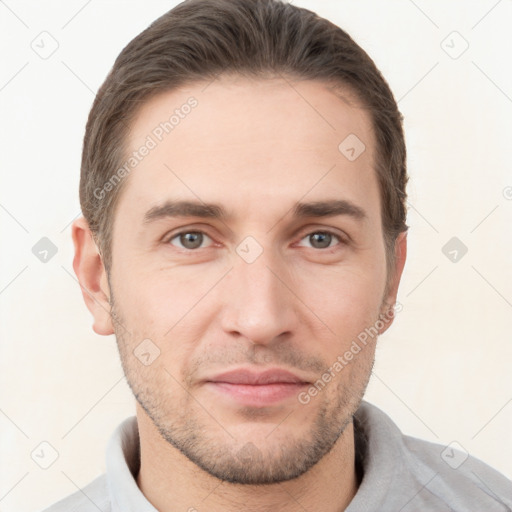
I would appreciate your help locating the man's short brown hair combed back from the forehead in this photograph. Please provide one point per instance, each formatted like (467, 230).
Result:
(201, 39)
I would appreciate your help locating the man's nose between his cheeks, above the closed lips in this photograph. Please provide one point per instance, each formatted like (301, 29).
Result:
(259, 303)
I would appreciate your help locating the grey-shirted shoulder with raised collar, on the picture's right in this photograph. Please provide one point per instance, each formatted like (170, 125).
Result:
(414, 474)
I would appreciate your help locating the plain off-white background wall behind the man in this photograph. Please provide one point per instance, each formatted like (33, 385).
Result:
(443, 369)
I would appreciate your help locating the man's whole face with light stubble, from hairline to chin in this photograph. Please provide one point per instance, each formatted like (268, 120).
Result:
(245, 239)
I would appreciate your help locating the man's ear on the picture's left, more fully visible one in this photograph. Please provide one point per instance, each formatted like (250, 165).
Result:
(92, 276)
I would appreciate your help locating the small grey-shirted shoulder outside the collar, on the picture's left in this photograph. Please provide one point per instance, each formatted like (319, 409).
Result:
(93, 497)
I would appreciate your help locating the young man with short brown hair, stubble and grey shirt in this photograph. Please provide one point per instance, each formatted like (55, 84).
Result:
(243, 190)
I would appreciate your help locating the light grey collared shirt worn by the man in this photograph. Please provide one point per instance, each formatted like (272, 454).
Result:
(399, 474)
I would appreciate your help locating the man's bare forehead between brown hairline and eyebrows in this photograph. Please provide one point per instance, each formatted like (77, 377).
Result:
(249, 145)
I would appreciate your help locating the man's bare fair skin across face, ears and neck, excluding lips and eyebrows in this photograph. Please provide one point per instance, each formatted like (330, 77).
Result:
(256, 148)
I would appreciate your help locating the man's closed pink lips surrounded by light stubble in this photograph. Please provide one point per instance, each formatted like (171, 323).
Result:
(254, 389)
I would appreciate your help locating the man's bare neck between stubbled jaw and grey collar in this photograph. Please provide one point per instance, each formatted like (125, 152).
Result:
(171, 482)
